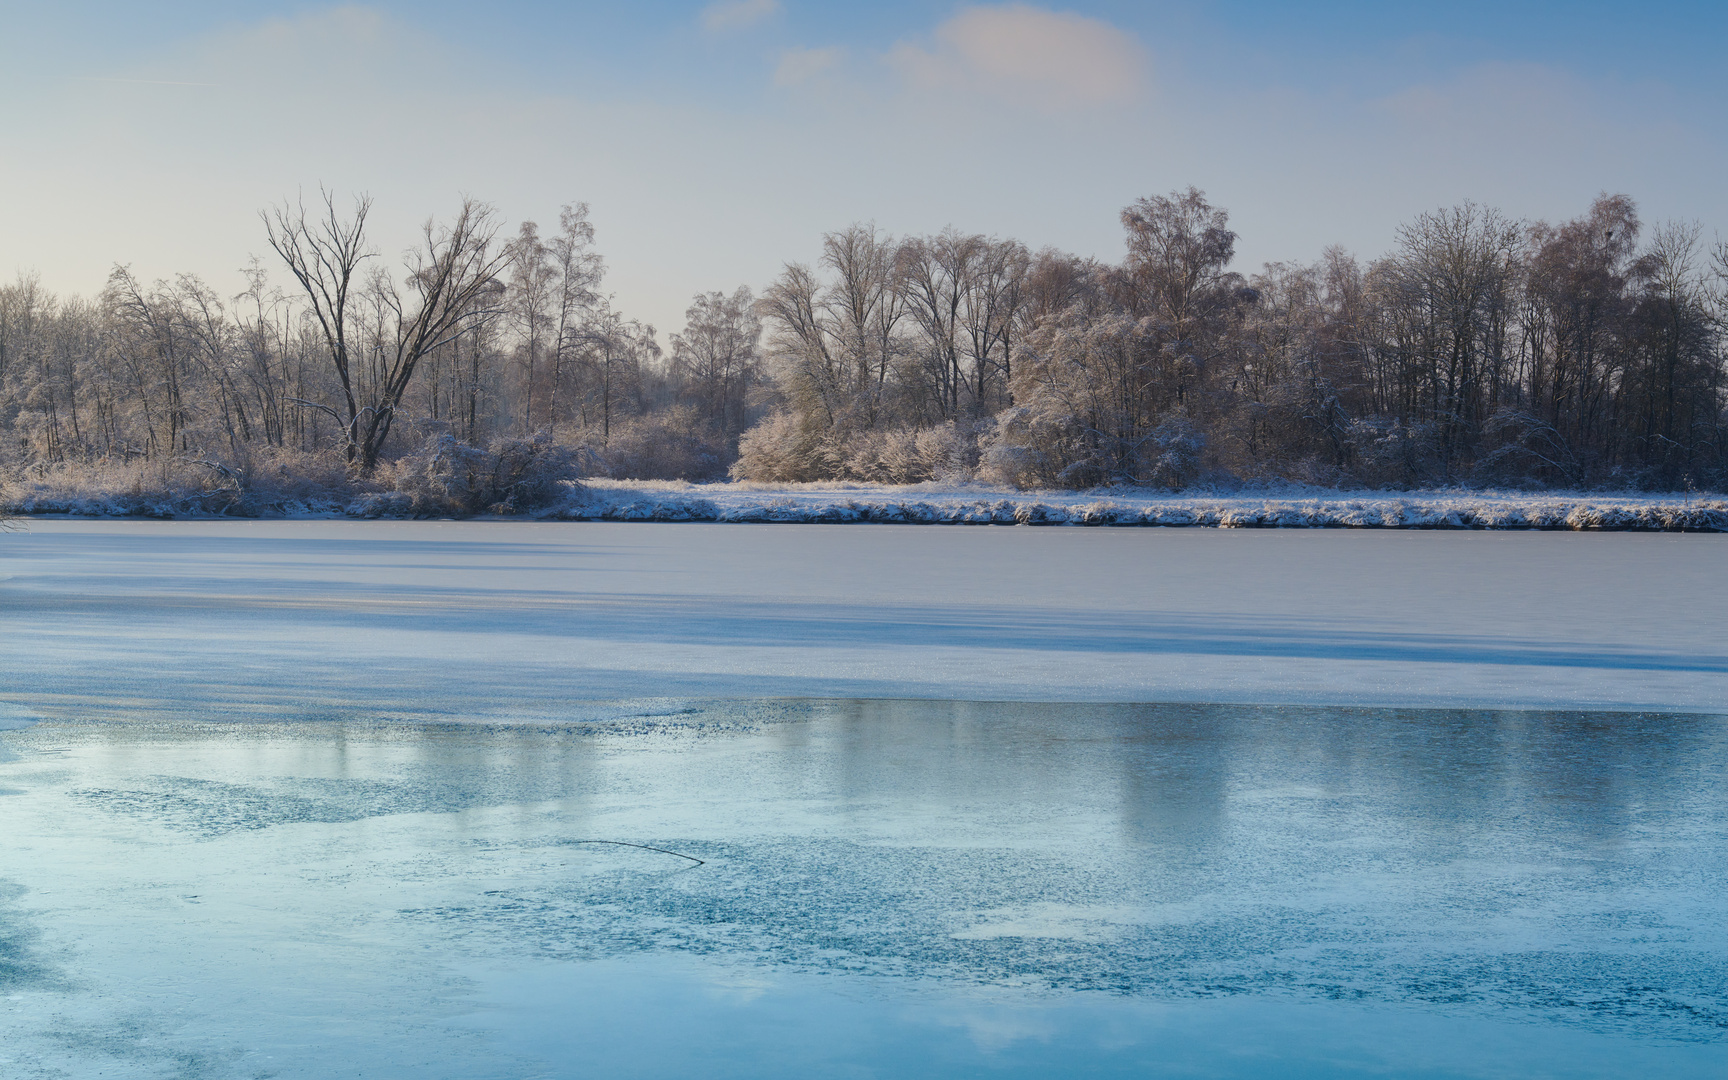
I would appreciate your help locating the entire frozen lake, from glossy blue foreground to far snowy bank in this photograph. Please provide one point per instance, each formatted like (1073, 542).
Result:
(326, 799)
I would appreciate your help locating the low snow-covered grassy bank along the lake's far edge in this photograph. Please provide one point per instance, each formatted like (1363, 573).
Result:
(1283, 507)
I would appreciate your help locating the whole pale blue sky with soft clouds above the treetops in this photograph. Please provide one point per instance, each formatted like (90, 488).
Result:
(718, 141)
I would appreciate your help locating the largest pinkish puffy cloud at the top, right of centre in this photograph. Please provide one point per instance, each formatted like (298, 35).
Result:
(1029, 54)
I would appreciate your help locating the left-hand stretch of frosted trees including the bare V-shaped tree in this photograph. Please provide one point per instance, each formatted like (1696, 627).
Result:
(476, 338)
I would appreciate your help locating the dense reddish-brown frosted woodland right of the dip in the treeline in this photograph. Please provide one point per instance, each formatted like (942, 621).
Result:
(1478, 352)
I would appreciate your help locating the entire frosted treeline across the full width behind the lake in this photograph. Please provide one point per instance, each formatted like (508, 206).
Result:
(1478, 352)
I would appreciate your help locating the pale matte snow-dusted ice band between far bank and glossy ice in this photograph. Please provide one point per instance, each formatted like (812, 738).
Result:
(540, 621)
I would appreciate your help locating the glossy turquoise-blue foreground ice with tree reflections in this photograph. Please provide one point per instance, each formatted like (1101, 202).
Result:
(886, 889)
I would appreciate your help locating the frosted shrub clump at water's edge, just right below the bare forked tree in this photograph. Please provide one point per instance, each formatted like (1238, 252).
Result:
(447, 478)
